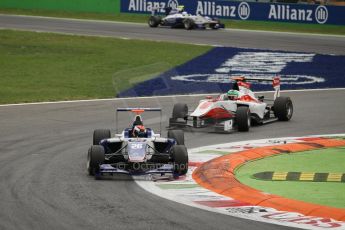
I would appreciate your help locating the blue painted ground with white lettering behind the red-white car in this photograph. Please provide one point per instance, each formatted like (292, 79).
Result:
(212, 72)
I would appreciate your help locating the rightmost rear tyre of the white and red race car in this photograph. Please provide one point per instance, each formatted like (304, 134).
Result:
(283, 108)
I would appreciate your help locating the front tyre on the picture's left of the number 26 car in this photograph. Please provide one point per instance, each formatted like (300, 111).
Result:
(95, 157)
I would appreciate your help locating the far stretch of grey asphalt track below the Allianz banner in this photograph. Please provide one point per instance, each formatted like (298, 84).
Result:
(235, 38)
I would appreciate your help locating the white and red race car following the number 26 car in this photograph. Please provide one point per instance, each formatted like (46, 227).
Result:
(226, 115)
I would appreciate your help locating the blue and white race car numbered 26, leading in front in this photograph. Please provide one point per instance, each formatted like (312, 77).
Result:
(137, 150)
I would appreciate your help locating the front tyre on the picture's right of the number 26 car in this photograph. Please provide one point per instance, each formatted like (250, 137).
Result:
(180, 159)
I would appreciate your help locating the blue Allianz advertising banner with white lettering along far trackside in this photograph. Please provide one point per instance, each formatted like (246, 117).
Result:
(300, 13)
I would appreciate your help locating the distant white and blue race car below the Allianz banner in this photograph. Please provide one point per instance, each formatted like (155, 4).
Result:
(178, 18)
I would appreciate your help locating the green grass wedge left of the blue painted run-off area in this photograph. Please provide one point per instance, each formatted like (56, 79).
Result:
(51, 67)
